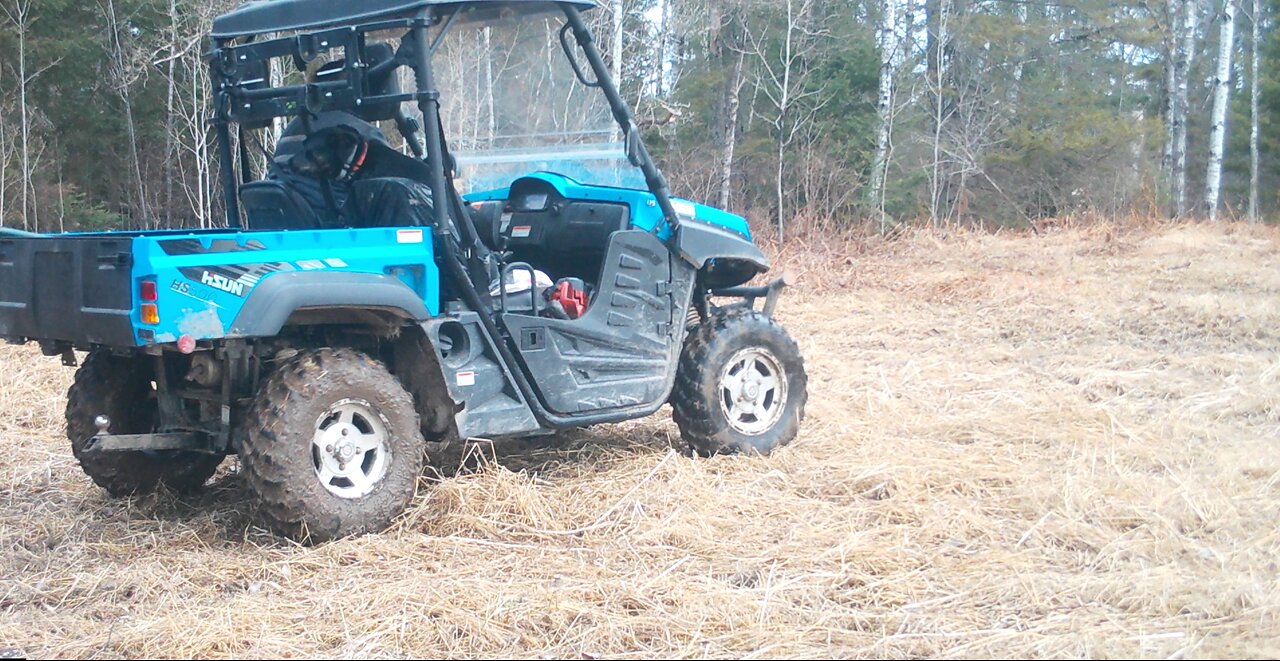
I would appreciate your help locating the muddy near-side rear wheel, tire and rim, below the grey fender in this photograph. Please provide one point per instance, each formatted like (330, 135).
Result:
(333, 446)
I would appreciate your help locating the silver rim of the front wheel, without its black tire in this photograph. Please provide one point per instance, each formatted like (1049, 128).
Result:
(753, 391)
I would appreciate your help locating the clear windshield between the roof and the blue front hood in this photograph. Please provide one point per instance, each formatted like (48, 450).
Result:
(513, 106)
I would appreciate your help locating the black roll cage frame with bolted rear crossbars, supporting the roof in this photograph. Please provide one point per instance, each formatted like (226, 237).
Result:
(245, 97)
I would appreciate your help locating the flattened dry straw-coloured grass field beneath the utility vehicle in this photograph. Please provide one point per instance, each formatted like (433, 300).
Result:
(1060, 446)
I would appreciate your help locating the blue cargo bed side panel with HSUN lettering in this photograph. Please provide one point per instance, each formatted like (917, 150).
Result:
(205, 279)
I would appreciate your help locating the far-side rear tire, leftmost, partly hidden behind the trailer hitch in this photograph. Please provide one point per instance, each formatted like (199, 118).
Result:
(121, 390)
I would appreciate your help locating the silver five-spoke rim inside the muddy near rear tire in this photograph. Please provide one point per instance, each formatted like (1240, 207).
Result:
(350, 449)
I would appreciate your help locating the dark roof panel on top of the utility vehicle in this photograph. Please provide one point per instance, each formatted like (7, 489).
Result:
(260, 17)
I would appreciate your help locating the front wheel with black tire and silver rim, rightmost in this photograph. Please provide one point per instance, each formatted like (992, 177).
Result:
(742, 386)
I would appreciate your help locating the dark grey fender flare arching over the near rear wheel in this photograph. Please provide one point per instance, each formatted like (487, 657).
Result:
(275, 300)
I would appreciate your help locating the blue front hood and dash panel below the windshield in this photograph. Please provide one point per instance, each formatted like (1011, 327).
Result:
(646, 213)
